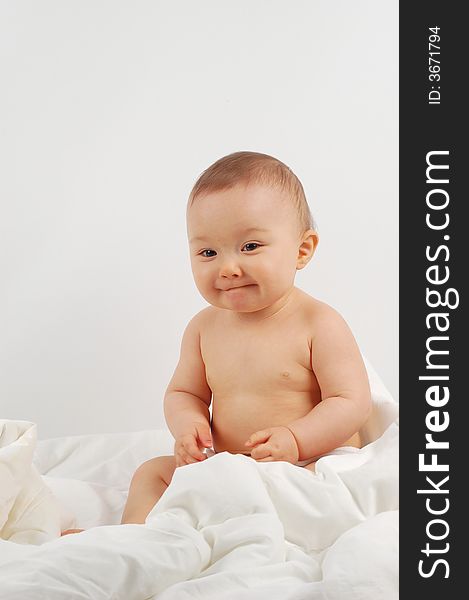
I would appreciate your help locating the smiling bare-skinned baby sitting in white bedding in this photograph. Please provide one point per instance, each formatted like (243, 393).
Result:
(281, 370)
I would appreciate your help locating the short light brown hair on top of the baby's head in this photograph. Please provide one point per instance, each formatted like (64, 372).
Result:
(254, 168)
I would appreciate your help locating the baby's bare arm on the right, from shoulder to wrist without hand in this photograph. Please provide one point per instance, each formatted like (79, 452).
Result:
(345, 393)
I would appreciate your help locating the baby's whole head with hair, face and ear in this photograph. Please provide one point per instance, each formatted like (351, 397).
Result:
(250, 229)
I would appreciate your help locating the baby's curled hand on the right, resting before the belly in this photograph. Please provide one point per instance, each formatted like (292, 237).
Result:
(275, 443)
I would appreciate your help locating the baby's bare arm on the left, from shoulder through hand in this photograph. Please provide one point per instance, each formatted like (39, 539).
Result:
(187, 399)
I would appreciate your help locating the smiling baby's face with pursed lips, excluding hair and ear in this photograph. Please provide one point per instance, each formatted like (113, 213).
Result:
(244, 247)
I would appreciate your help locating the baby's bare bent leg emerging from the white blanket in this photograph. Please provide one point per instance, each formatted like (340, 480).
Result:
(149, 482)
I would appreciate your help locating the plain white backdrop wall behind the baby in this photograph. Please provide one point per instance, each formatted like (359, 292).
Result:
(109, 112)
